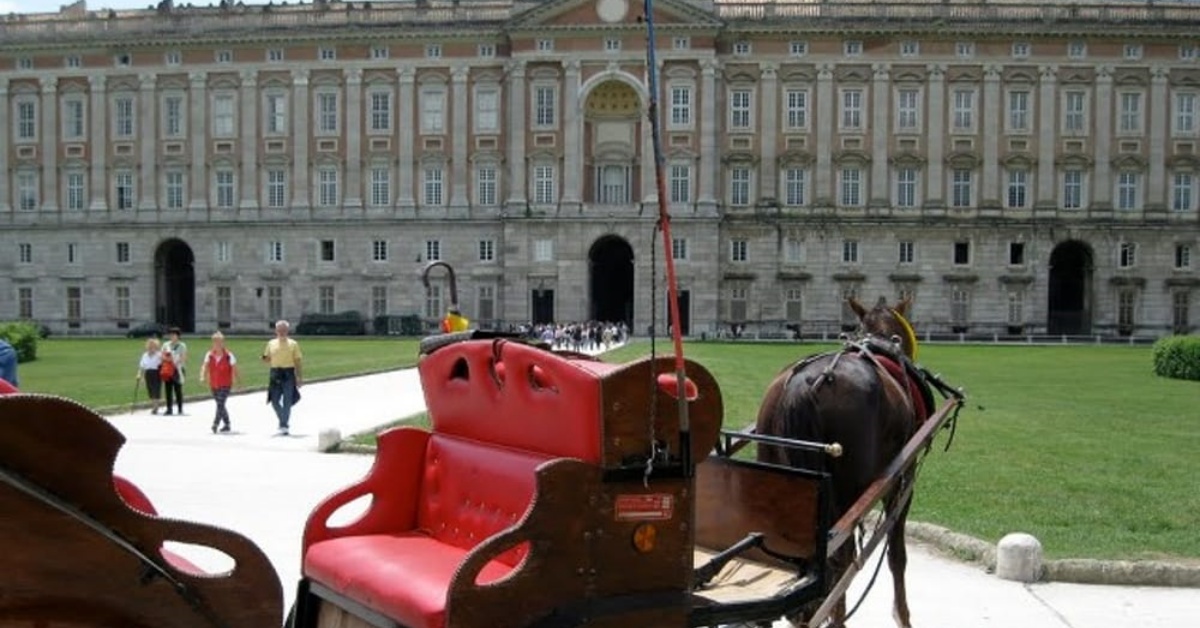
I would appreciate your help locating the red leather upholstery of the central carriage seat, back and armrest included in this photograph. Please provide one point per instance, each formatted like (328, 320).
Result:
(446, 504)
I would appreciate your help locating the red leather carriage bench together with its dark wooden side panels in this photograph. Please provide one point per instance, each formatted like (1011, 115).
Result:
(501, 504)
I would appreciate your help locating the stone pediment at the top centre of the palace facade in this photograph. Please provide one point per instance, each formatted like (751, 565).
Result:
(574, 15)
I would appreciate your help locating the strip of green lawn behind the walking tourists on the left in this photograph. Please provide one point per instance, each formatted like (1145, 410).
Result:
(99, 373)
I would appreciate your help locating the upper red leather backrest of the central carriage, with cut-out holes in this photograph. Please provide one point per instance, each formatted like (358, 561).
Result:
(551, 405)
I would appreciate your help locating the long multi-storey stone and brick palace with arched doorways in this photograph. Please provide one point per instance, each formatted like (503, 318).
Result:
(1013, 168)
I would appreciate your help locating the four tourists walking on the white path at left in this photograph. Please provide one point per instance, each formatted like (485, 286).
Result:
(164, 367)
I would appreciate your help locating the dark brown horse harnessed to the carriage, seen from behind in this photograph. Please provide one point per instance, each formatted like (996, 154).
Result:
(850, 399)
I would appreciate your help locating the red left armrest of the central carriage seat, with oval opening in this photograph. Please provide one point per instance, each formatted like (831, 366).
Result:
(393, 485)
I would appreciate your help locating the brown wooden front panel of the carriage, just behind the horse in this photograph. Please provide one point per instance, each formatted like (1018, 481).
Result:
(736, 499)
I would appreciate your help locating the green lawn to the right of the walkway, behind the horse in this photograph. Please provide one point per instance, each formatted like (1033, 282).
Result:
(1082, 447)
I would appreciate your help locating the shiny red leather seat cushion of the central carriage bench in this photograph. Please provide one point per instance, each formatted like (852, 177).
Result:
(404, 577)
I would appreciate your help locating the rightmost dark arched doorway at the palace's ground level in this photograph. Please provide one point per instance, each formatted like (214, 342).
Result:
(1070, 303)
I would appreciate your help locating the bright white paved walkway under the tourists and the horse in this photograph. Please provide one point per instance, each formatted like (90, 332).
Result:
(265, 487)
